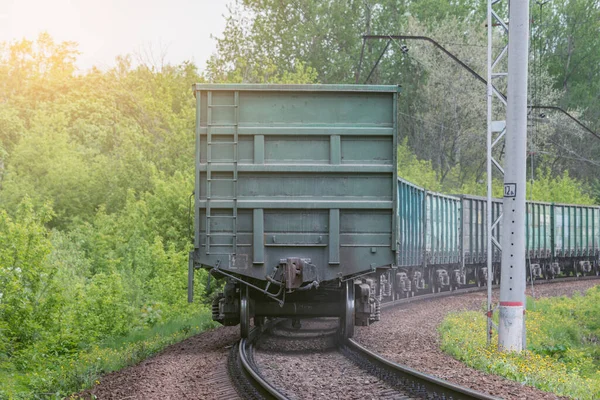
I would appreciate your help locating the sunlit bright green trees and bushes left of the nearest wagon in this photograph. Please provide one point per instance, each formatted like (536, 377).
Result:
(96, 173)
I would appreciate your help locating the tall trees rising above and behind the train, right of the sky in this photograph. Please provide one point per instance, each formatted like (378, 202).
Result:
(442, 111)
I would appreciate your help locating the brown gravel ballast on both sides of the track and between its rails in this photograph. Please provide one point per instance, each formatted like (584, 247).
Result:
(194, 368)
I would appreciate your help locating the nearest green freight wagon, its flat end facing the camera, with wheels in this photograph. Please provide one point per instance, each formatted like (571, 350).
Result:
(295, 196)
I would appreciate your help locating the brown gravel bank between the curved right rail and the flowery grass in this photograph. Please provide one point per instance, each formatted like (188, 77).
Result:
(412, 338)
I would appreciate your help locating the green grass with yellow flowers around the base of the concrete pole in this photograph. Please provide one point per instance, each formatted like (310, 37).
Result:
(562, 355)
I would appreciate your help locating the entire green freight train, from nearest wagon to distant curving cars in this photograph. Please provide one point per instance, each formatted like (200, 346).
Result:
(299, 208)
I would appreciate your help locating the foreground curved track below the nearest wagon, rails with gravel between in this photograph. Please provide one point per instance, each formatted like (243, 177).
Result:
(386, 379)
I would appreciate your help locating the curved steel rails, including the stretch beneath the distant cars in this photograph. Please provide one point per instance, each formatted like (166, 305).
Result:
(399, 381)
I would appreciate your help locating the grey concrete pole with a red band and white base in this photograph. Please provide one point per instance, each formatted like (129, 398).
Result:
(512, 287)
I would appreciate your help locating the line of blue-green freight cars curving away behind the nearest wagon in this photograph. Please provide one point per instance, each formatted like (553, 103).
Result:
(443, 240)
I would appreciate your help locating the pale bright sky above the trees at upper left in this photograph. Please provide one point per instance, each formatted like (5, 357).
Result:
(179, 29)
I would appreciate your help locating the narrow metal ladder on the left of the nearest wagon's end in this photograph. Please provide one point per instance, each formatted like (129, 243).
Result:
(209, 179)
